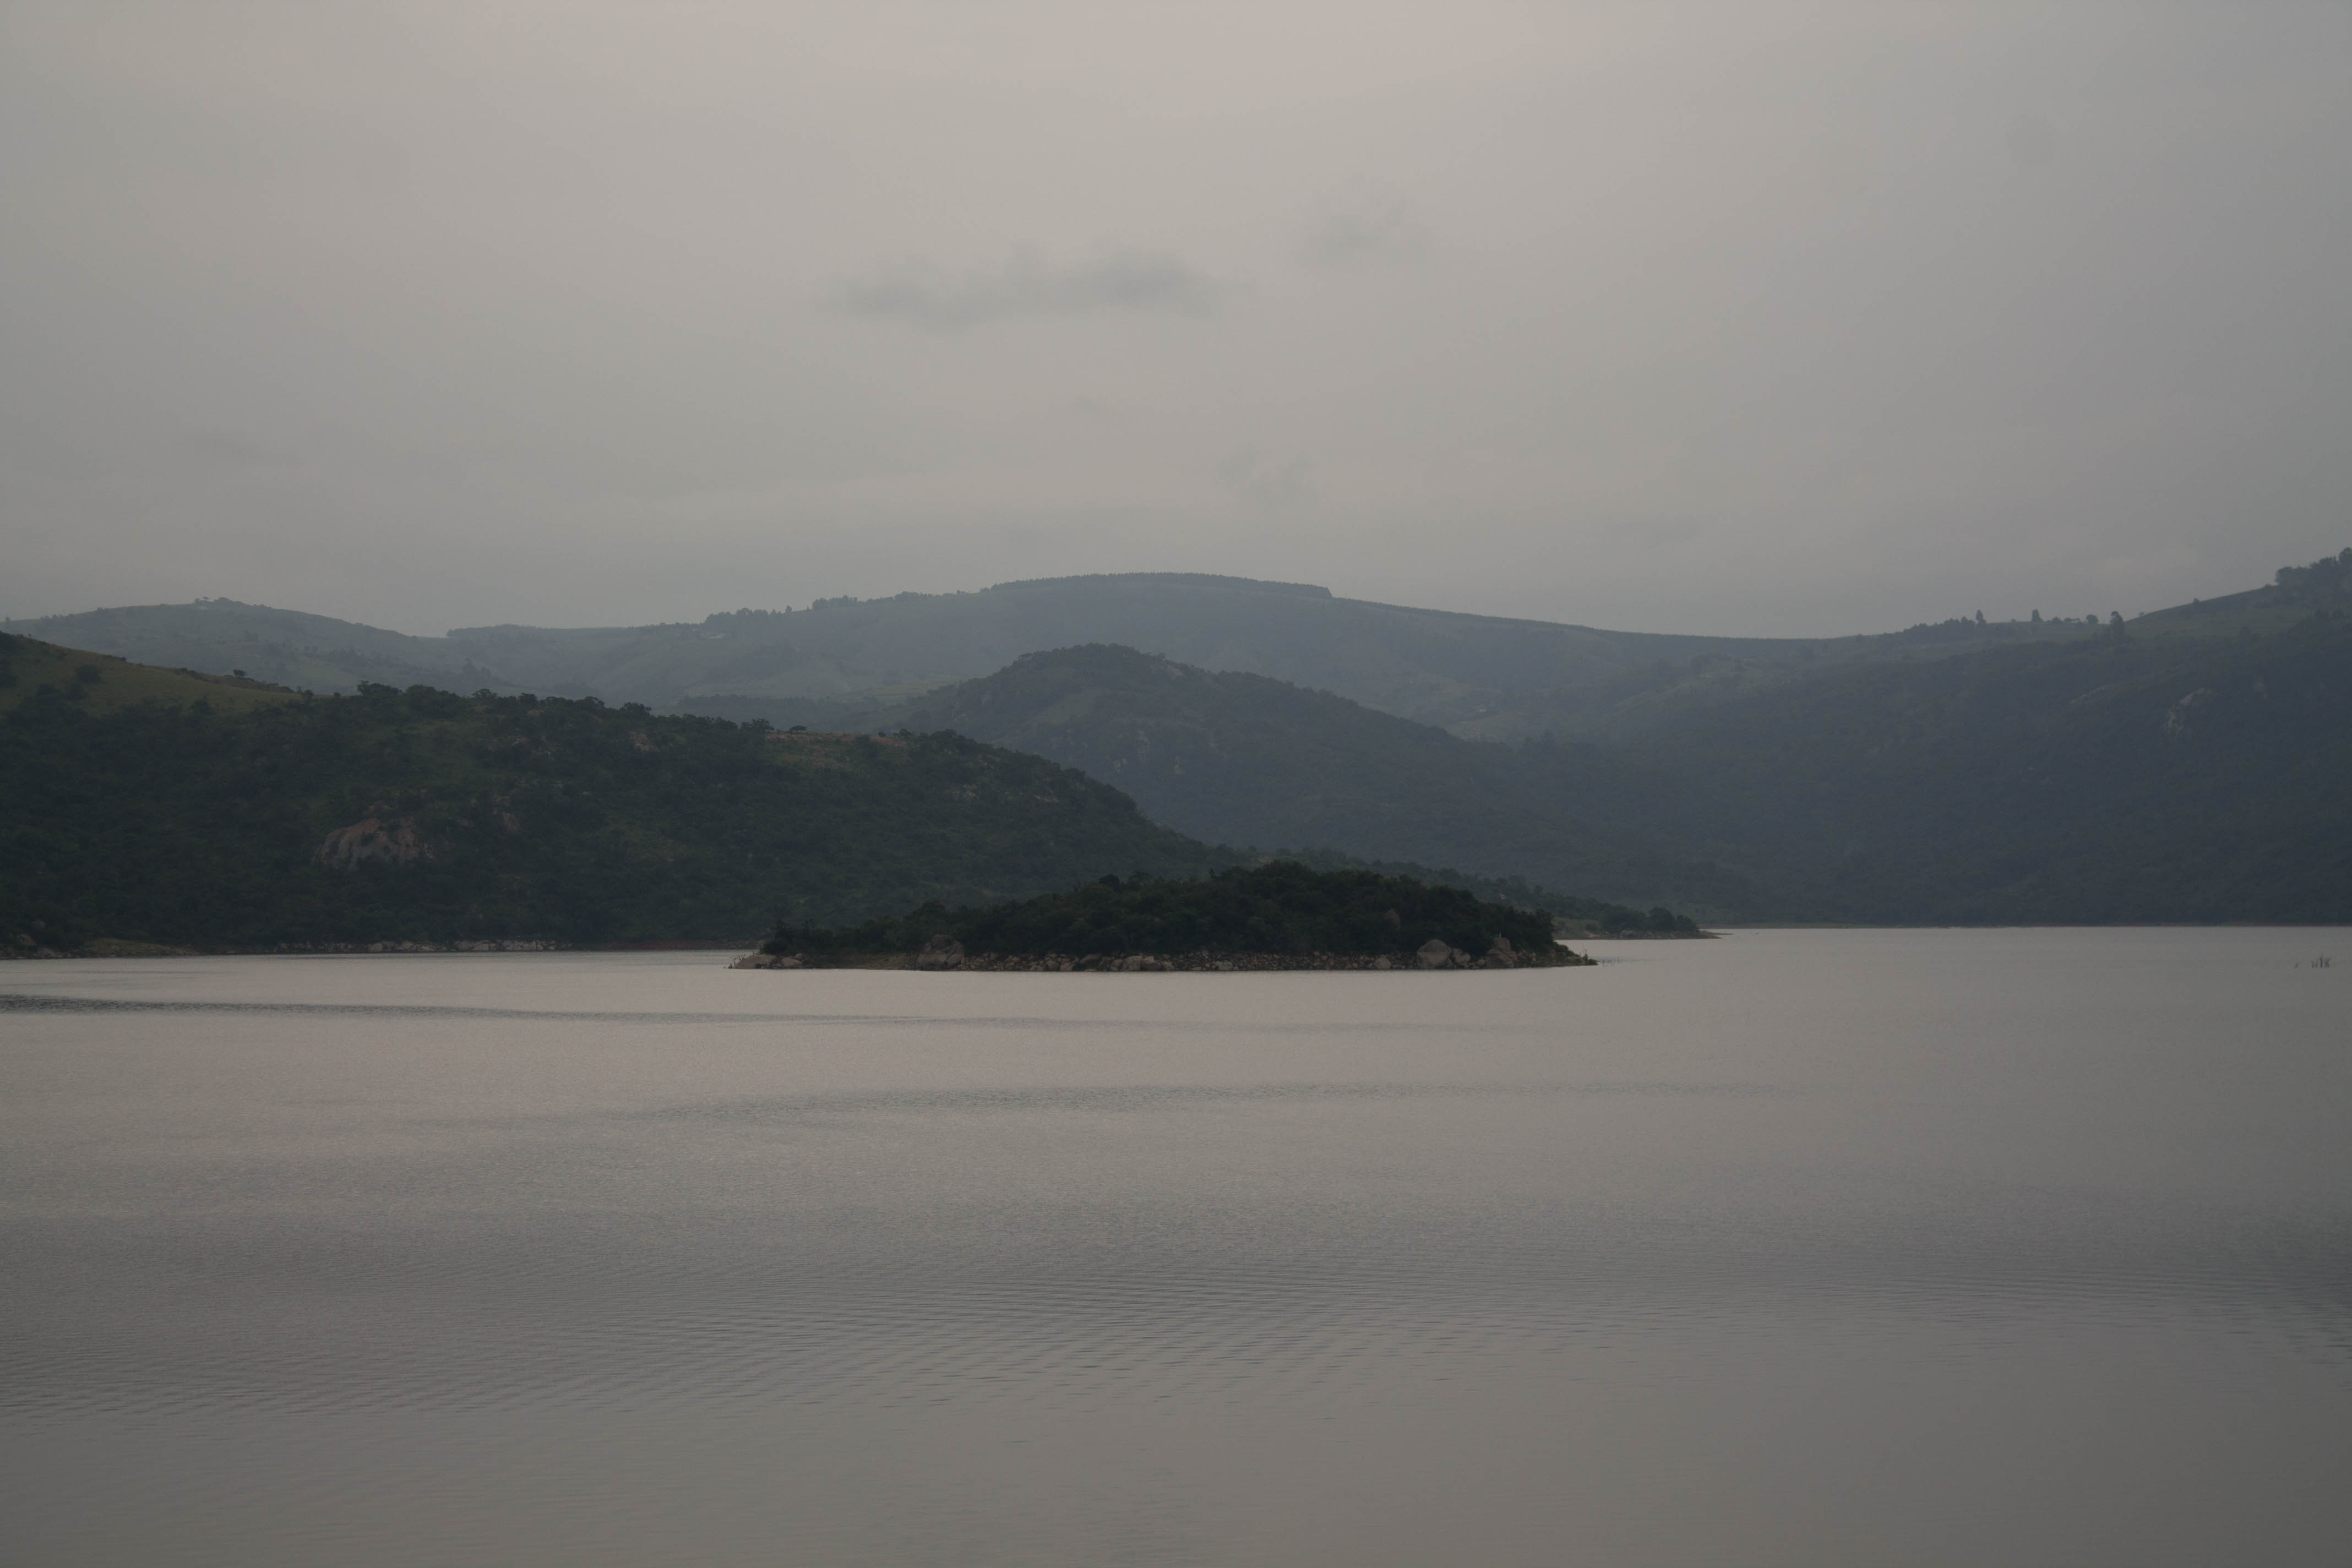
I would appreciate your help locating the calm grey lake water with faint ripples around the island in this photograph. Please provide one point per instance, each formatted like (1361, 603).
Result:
(1899, 1247)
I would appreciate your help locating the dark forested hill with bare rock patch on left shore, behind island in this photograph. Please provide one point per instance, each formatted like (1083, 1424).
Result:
(161, 808)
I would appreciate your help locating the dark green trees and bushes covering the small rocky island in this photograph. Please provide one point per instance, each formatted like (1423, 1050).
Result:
(1278, 909)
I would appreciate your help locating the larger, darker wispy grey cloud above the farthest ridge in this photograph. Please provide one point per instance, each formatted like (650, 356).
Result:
(1118, 283)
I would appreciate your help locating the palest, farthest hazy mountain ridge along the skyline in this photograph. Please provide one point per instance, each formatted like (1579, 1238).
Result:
(836, 659)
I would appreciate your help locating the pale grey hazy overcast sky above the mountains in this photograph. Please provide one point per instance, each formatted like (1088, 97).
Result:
(1669, 319)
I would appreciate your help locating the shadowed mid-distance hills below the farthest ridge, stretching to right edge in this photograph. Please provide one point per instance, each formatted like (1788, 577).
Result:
(2137, 775)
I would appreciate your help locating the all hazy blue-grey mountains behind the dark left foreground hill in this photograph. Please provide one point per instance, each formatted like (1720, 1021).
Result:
(2181, 768)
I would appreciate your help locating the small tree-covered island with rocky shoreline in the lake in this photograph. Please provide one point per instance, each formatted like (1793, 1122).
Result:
(1274, 916)
